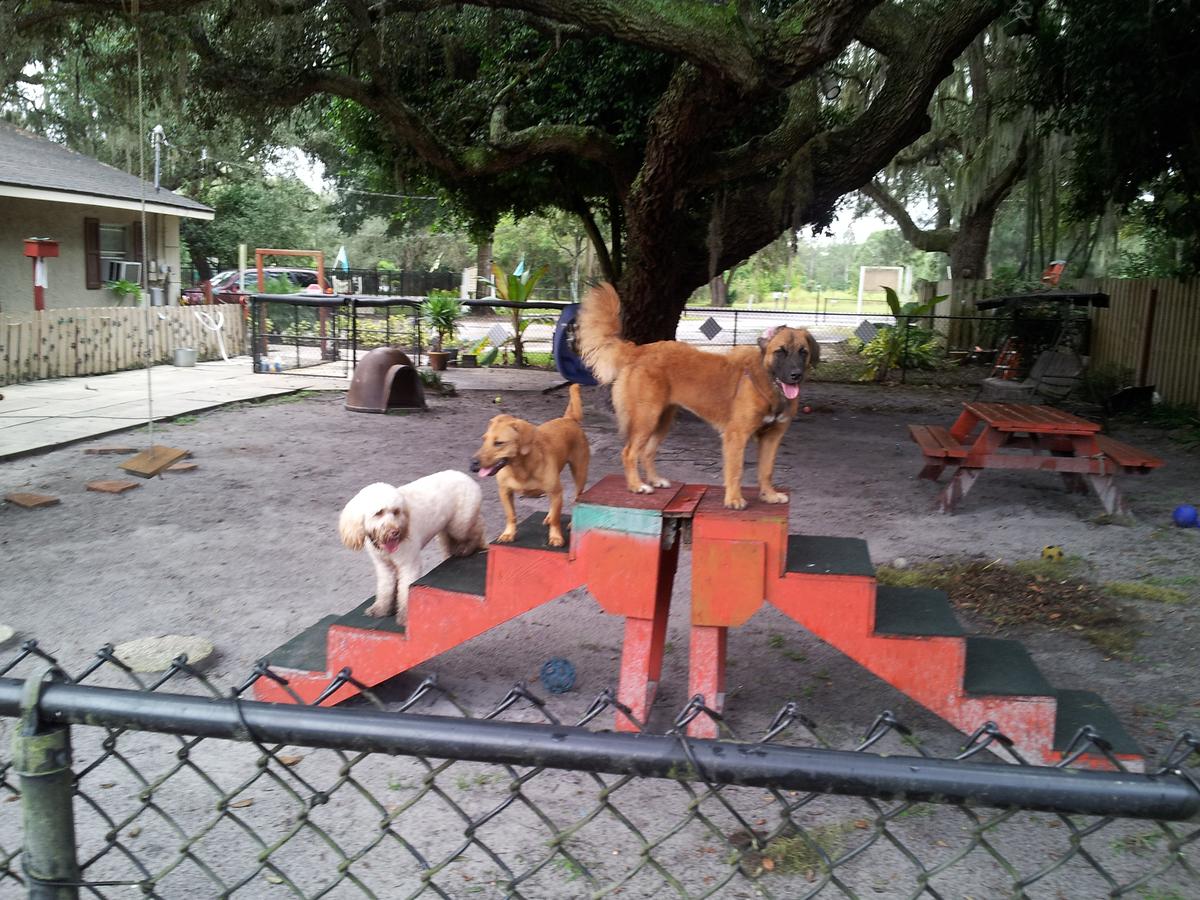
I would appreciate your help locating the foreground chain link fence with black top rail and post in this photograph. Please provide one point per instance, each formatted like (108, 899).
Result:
(181, 789)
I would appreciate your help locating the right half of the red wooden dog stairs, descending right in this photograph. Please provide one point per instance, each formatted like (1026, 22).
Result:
(907, 637)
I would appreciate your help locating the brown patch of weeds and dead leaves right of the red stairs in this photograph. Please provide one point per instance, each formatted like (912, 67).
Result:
(1048, 595)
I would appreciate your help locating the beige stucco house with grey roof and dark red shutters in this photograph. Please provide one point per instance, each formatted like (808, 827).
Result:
(94, 212)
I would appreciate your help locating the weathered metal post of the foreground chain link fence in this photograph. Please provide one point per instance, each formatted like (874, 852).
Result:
(41, 758)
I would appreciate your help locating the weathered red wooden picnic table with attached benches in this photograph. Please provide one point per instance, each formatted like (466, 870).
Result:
(1023, 436)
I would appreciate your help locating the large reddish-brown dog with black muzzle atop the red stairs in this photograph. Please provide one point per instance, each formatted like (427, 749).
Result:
(748, 392)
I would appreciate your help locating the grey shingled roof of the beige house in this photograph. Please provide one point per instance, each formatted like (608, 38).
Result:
(34, 163)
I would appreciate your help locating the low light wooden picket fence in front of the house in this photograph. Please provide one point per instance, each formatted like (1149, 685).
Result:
(59, 344)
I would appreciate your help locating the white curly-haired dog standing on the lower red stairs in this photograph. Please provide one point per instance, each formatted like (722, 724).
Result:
(397, 523)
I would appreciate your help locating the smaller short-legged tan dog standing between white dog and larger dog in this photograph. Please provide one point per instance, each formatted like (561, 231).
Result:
(529, 460)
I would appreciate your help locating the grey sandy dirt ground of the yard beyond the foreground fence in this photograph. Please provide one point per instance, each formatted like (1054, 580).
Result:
(244, 551)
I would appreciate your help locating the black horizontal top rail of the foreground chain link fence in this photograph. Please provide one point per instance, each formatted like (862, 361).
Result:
(1168, 796)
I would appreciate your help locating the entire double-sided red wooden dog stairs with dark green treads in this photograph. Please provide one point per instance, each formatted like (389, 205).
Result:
(625, 549)
